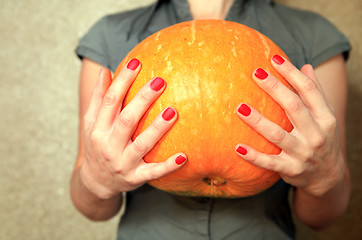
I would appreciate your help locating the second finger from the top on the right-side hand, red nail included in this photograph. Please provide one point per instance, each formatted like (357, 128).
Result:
(297, 112)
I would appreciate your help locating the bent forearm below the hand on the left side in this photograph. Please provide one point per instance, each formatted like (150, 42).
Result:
(89, 204)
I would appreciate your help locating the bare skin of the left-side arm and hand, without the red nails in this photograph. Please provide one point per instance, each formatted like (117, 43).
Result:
(108, 162)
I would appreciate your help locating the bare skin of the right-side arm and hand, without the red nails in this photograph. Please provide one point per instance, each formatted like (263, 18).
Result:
(313, 157)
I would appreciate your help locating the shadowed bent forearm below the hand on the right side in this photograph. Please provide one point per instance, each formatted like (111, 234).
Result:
(320, 211)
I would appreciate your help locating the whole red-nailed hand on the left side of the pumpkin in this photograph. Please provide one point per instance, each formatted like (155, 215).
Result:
(112, 162)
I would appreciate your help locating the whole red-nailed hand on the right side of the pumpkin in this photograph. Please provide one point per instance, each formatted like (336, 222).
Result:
(311, 158)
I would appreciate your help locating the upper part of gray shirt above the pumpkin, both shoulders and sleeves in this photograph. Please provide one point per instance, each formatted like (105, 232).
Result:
(304, 36)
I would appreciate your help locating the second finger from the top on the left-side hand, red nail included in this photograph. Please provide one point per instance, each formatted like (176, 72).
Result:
(130, 116)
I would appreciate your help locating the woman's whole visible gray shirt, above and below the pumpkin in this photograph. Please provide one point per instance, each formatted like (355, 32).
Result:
(152, 214)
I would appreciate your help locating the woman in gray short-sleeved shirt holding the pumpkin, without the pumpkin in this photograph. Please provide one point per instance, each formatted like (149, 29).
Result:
(312, 162)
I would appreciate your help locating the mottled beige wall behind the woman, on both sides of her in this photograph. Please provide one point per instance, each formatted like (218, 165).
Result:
(38, 115)
